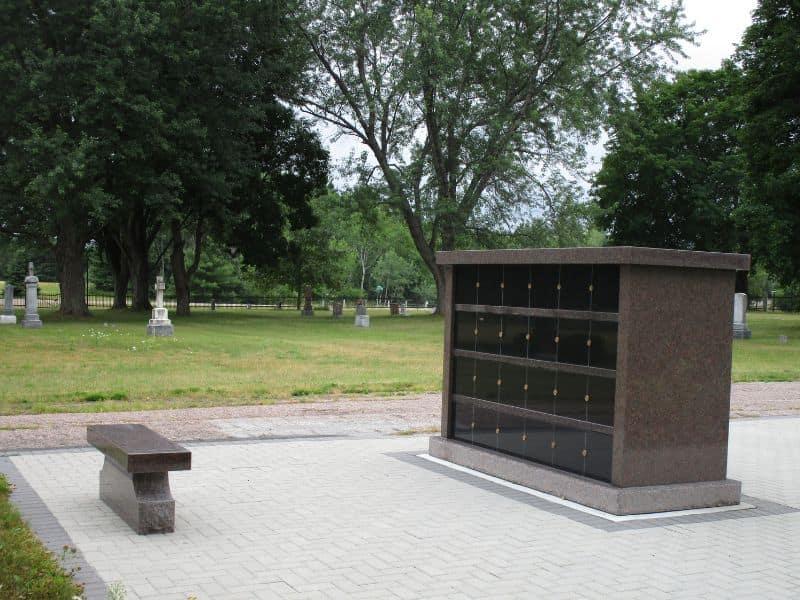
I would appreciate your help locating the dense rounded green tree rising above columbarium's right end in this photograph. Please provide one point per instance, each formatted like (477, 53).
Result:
(673, 168)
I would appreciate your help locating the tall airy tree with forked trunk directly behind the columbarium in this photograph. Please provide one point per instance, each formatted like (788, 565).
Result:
(462, 104)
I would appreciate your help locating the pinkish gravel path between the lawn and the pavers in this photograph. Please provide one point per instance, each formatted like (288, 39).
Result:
(365, 416)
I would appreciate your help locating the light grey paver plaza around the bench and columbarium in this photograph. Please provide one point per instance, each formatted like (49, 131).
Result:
(367, 518)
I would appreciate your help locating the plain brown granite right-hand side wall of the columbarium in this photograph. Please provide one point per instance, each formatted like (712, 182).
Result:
(673, 375)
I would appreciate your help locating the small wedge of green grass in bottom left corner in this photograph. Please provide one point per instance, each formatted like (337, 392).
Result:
(27, 569)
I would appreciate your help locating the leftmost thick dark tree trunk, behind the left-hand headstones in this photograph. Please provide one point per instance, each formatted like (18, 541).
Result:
(69, 251)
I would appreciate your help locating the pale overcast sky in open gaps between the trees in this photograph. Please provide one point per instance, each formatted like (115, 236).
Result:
(723, 22)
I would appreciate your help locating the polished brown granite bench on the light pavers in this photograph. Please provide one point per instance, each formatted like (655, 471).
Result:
(134, 480)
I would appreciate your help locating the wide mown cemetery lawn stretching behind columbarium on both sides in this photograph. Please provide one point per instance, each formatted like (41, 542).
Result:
(250, 357)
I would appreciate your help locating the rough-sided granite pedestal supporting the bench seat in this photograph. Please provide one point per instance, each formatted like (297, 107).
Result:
(143, 500)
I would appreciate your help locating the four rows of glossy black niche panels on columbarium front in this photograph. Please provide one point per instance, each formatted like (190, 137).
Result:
(557, 339)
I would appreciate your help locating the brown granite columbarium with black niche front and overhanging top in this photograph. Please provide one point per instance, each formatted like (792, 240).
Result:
(598, 375)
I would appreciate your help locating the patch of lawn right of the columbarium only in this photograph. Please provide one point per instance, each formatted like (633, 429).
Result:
(763, 358)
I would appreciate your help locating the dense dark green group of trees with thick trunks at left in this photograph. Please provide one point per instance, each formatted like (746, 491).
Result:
(126, 122)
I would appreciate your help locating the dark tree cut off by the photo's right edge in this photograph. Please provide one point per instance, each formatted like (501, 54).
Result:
(770, 57)
